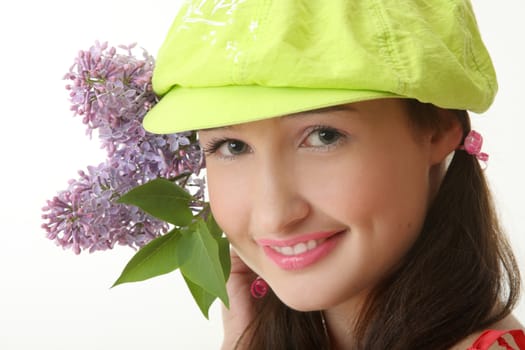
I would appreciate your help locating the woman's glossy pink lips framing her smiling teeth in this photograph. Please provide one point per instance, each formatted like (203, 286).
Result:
(303, 260)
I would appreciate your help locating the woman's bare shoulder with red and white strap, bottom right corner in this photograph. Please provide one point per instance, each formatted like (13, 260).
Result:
(509, 329)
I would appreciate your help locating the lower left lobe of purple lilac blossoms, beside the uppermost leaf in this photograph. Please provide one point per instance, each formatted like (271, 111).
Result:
(85, 216)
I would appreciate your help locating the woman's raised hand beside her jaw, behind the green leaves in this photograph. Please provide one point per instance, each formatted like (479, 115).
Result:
(241, 311)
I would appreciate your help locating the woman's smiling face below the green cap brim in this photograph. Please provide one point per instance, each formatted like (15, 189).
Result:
(321, 204)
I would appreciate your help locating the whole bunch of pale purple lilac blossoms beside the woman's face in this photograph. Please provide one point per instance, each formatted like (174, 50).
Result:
(111, 90)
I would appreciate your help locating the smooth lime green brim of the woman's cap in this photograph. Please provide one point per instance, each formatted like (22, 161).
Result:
(185, 109)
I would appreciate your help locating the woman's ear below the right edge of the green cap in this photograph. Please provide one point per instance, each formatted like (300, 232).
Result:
(445, 138)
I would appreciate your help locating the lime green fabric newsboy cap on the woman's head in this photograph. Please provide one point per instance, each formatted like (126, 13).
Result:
(236, 61)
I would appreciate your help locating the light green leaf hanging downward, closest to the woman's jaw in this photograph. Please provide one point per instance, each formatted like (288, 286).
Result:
(203, 265)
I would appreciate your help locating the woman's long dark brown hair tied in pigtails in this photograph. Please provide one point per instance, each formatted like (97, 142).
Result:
(459, 277)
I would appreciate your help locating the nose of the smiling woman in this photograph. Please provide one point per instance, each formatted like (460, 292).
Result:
(278, 204)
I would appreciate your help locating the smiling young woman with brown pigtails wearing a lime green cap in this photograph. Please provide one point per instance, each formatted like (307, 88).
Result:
(343, 170)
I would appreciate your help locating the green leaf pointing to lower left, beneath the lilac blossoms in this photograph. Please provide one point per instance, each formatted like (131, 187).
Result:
(156, 258)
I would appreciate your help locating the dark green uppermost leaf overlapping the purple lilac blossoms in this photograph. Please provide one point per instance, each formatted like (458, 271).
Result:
(163, 199)
